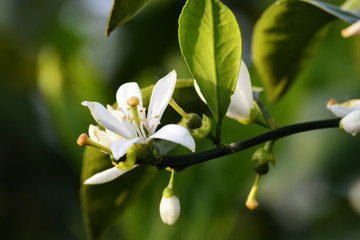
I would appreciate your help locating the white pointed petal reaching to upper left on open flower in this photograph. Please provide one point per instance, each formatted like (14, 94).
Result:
(105, 118)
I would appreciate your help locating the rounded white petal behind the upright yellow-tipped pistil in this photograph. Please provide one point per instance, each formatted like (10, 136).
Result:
(127, 91)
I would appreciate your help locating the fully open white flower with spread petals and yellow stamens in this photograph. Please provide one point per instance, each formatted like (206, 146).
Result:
(123, 129)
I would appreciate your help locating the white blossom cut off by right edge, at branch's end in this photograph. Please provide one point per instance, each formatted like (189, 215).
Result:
(349, 112)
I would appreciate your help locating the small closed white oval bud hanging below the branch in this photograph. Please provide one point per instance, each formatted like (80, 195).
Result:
(169, 209)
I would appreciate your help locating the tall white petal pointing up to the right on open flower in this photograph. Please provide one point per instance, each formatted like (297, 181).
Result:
(160, 97)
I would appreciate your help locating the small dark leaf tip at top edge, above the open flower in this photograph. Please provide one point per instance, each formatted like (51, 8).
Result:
(122, 11)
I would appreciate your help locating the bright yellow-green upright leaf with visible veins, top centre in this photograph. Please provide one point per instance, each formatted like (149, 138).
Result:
(210, 43)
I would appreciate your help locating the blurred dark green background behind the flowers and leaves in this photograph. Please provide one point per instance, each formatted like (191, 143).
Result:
(54, 54)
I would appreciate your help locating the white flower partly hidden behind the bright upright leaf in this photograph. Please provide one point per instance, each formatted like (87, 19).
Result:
(241, 107)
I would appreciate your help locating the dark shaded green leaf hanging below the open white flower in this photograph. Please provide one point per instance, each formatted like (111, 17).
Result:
(102, 204)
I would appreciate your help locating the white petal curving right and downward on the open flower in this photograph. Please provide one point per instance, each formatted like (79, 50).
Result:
(177, 134)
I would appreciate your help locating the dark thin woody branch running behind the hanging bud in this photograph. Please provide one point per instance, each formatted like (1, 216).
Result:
(183, 161)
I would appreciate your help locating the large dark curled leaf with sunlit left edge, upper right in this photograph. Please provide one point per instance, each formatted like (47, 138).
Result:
(284, 38)
